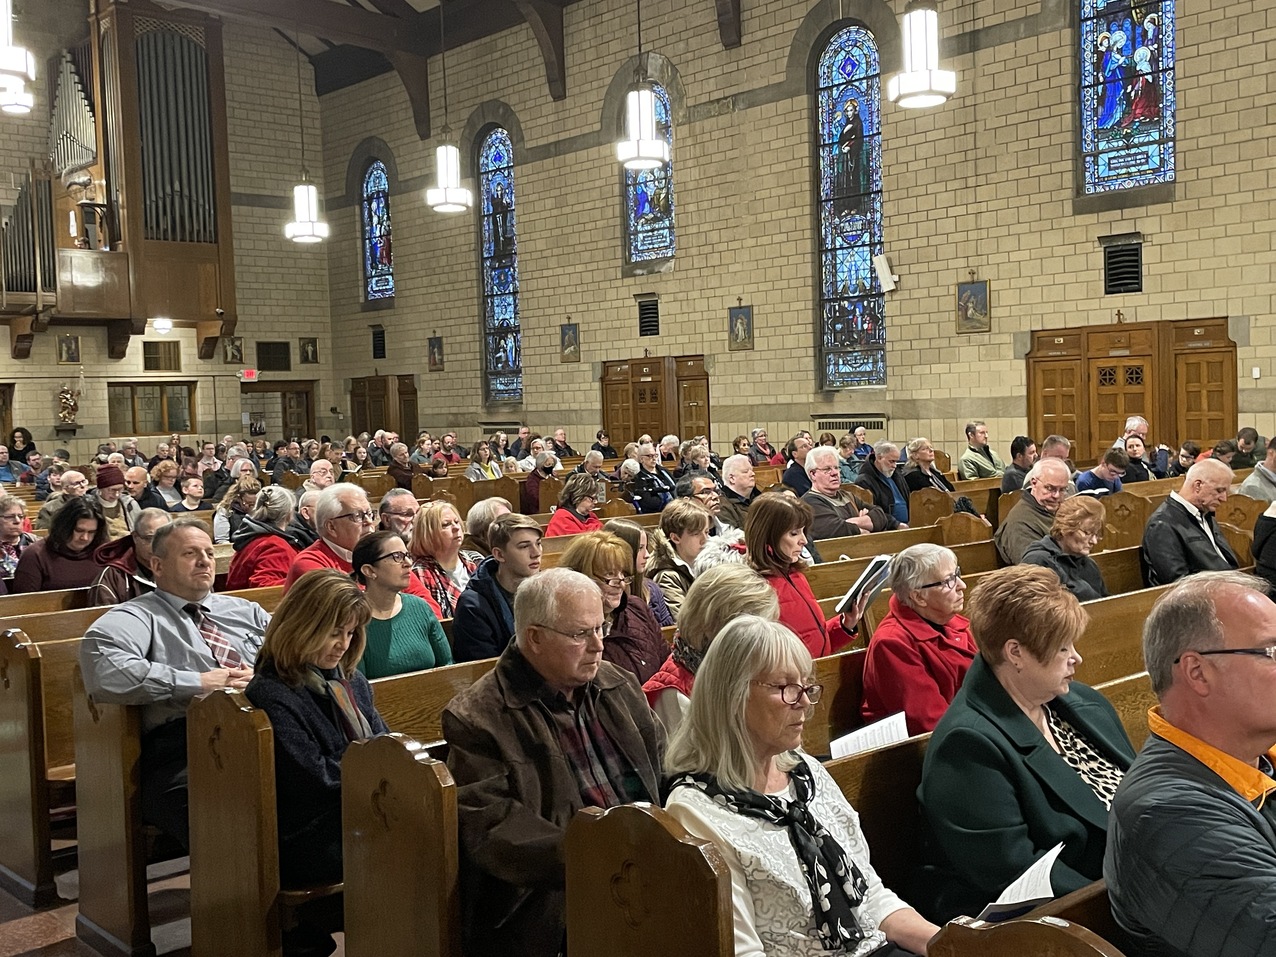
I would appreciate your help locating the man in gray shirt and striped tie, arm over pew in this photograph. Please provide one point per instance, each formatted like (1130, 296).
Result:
(164, 649)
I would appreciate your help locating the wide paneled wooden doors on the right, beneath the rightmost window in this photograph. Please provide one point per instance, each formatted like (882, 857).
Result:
(1181, 377)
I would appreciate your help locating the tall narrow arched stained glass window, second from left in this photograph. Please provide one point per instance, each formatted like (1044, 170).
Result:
(503, 338)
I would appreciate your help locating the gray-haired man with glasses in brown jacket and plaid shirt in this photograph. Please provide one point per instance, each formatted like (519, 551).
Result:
(552, 729)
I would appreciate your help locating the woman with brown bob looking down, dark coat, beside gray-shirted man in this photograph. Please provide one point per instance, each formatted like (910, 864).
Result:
(308, 683)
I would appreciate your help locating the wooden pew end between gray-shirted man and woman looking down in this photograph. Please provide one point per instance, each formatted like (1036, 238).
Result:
(237, 901)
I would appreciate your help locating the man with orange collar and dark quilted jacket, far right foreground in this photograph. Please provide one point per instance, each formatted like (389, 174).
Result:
(1191, 859)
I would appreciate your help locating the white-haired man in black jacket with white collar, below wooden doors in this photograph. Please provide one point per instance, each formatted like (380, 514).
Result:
(1182, 537)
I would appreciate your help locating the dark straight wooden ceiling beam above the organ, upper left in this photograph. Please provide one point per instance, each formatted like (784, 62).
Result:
(346, 25)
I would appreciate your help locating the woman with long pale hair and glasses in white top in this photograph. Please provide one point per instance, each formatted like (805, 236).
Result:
(802, 880)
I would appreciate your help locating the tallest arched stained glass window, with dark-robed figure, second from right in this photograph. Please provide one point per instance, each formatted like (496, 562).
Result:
(853, 309)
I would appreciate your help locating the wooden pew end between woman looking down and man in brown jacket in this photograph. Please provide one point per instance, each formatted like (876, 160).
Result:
(400, 852)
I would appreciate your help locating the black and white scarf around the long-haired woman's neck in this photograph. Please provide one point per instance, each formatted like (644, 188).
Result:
(836, 884)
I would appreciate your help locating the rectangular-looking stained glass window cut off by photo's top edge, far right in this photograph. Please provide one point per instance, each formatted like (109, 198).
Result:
(1127, 94)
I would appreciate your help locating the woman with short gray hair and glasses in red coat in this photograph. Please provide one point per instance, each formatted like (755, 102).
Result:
(922, 650)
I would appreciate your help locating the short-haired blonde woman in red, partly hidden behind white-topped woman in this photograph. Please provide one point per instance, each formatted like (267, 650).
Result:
(716, 599)
